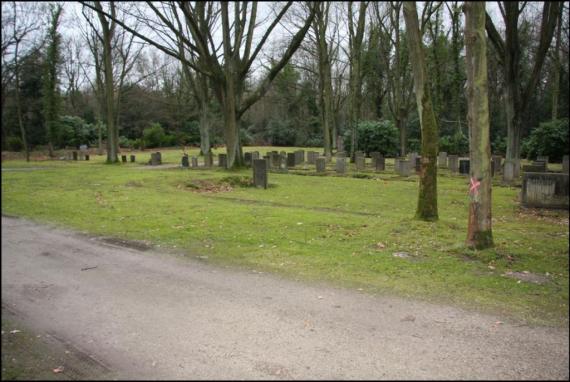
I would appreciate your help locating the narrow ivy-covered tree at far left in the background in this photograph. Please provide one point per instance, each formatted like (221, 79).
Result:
(52, 100)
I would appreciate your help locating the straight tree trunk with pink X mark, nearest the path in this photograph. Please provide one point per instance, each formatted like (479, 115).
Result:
(479, 230)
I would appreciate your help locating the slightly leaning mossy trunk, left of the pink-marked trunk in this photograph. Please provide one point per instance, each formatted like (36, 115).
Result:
(427, 199)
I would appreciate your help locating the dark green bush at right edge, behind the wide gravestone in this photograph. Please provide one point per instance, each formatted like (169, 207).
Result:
(549, 138)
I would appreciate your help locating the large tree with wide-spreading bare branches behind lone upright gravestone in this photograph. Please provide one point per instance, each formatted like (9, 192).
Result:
(229, 64)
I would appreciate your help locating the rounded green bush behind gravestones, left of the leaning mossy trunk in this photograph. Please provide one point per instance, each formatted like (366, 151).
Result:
(381, 136)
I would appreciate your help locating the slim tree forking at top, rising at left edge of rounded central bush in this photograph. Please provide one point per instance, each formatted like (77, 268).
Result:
(356, 37)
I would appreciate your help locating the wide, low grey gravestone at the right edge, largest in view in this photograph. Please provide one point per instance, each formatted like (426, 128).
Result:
(545, 190)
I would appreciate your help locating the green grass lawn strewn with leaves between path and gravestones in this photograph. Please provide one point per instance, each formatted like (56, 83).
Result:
(338, 229)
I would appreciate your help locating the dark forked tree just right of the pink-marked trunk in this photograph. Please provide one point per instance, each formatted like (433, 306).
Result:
(517, 93)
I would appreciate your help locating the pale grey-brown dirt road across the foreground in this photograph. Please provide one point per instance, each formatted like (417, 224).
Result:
(144, 314)
